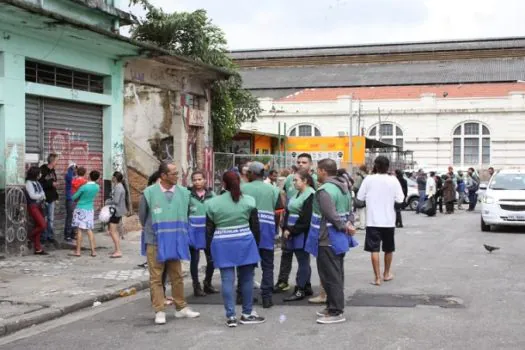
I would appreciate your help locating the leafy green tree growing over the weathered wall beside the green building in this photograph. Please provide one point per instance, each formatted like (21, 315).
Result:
(194, 35)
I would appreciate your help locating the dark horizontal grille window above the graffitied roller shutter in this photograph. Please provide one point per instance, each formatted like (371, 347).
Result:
(62, 77)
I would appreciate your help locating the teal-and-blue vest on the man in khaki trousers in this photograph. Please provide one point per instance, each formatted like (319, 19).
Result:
(169, 222)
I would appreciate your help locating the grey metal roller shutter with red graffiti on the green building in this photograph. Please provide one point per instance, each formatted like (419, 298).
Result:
(74, 132)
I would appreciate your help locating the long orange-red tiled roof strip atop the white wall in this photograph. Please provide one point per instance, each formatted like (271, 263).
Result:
(407, 92)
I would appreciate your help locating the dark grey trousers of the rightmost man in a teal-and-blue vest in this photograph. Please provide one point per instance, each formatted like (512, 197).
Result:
(331, 272)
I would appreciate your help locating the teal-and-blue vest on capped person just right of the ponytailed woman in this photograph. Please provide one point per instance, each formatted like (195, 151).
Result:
(265, 196)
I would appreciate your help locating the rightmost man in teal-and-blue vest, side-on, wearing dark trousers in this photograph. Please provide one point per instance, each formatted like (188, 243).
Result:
(332, 202)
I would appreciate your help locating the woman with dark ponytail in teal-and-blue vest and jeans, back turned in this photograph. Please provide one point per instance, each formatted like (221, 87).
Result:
(232, 228)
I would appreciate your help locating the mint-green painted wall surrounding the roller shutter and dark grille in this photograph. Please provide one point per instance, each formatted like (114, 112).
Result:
(62, 46)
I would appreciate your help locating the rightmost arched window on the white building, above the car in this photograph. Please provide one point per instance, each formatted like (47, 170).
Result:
(471, 144)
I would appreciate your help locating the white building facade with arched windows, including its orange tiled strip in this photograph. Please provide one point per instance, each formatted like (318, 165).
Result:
(444, 125)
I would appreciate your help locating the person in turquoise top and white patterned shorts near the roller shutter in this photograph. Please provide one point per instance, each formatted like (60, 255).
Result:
(84, 214)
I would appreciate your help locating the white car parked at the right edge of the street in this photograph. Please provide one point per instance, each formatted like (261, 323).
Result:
(503, 202)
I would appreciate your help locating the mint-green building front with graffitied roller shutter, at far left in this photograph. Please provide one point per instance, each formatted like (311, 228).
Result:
(61, 83)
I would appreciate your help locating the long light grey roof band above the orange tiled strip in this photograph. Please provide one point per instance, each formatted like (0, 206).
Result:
(386, 74)
